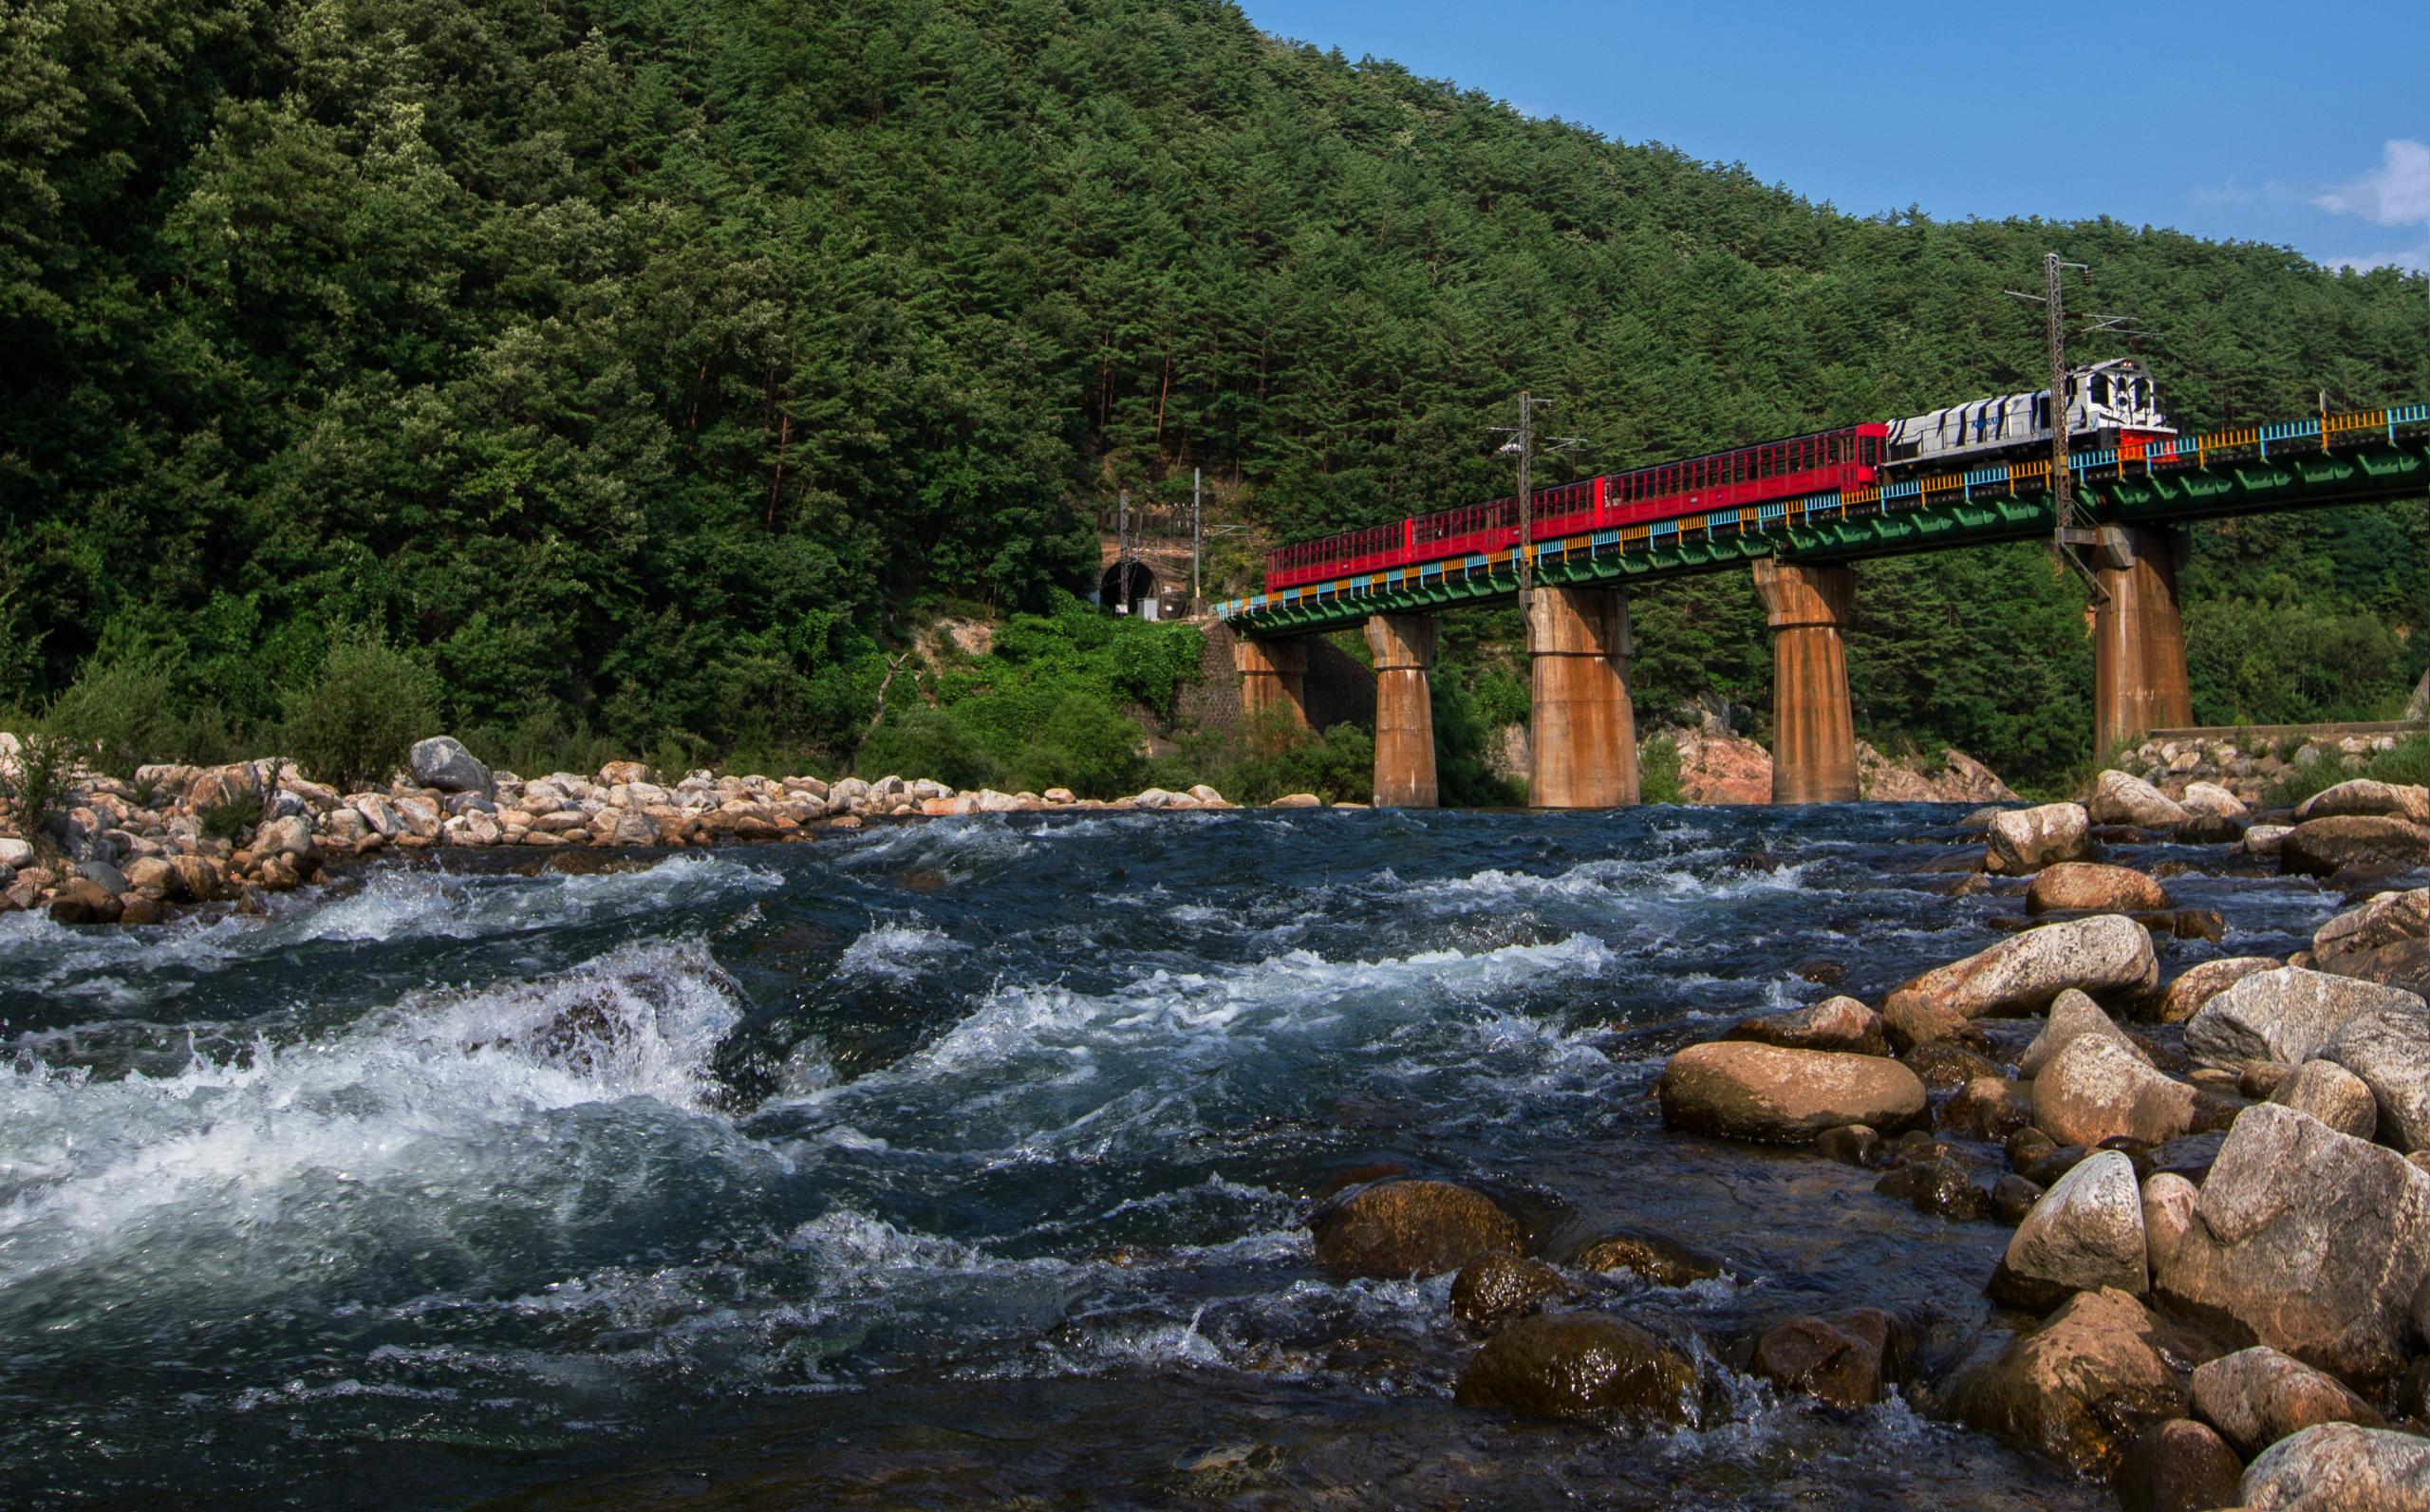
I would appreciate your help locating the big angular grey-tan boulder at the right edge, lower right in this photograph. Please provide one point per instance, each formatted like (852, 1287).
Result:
(2307, 1241)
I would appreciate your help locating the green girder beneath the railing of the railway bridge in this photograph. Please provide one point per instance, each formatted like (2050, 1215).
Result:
(2234, 483)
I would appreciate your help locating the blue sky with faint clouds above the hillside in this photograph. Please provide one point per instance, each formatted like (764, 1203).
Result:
(2298, 125)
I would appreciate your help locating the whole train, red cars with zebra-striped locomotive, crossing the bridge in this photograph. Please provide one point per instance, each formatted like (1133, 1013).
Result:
(2108, 405)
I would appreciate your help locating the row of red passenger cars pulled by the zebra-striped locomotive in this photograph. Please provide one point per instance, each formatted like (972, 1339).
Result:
(1736, 480)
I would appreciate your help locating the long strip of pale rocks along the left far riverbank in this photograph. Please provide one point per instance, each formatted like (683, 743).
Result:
(179, 835)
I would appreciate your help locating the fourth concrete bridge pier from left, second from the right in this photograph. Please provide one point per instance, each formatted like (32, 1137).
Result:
(1814, 730)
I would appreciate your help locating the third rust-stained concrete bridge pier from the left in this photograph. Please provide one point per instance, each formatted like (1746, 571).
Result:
(1583, 738)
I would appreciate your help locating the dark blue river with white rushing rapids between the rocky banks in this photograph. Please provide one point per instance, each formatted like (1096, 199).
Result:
(951, 1163)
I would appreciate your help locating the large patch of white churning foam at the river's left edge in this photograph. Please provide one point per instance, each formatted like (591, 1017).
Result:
(434, 1105)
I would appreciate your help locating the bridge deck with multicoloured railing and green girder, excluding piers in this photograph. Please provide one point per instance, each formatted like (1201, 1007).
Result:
(2256, 468)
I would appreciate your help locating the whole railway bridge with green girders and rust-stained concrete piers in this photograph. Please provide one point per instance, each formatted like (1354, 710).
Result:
(1807, 555)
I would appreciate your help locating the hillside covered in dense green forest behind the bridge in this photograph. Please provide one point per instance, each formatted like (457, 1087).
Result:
(645, 366)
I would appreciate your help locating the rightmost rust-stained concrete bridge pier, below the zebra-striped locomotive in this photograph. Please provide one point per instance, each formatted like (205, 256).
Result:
(2137, 638)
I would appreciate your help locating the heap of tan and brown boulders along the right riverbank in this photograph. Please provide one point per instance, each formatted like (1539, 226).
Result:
(2217, 1180)
